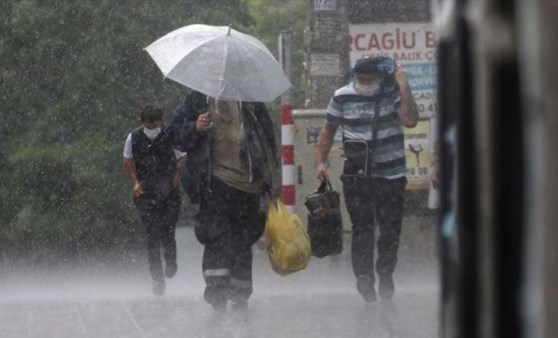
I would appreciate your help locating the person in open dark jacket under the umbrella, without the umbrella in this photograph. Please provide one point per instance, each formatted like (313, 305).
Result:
(234, 163)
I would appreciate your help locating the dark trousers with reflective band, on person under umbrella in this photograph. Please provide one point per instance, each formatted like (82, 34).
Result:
(229, 224)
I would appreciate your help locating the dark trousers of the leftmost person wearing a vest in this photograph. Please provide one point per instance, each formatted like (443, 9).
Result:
(159, 219)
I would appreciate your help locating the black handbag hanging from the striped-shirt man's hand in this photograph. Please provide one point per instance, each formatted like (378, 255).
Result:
(325, 227)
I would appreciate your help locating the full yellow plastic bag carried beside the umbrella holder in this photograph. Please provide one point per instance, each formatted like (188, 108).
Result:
(288, 244)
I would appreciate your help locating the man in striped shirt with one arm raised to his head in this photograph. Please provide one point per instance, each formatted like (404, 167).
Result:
(372, 112)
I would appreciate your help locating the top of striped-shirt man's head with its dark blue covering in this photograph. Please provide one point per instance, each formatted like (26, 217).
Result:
(370, 70)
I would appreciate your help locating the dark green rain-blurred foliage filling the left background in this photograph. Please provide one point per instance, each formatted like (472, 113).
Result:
(73, 78)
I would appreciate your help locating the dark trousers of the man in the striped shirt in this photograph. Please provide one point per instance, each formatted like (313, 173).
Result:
(368, 200)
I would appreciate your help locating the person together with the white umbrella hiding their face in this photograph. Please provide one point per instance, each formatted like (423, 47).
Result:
(224, 126)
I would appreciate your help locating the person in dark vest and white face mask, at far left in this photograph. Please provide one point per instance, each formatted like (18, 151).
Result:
(154, 168)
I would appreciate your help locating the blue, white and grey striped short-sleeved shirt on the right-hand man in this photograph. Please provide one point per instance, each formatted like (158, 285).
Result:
(355, 113)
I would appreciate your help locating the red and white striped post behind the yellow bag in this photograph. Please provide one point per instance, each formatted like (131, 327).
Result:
(287, 155)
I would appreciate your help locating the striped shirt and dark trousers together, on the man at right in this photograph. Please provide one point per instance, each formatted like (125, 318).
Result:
(373, 174)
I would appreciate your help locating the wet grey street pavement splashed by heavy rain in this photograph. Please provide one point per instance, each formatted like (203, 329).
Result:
(107, 300)
